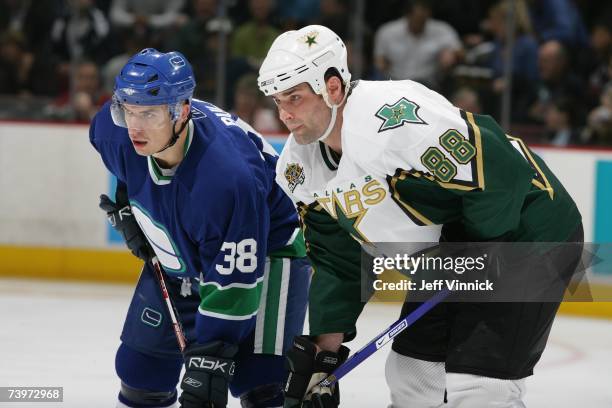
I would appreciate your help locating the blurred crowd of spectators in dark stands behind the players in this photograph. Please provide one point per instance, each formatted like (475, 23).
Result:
(58, 58)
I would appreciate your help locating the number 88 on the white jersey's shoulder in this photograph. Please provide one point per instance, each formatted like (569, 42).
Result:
(459, 148)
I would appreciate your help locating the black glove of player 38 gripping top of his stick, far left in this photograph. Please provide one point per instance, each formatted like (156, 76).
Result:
(120, 216)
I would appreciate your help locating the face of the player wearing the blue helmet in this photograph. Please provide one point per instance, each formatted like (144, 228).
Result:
(149, 127)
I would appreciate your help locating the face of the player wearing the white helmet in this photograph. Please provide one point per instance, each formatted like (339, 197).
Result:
(303, 112)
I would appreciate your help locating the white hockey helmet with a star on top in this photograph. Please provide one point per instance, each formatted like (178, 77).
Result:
(303, 56)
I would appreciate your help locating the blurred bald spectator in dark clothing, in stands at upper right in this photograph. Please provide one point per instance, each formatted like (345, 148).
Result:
(557, 81)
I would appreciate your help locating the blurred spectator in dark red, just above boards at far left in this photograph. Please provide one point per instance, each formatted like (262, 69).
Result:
(87, 97)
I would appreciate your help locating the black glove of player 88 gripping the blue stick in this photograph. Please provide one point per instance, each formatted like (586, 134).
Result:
(306, 369)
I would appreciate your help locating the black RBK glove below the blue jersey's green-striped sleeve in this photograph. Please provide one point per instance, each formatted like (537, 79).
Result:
(209, 368)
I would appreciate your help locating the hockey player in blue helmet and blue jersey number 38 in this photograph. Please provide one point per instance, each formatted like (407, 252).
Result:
(195, 187)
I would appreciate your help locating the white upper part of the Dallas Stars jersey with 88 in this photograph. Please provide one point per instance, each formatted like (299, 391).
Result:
(390, 129)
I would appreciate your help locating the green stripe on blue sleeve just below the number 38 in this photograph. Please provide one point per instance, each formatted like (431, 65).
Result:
(236, 302)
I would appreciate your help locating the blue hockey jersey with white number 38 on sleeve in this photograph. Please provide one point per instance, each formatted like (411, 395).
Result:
(215, 217)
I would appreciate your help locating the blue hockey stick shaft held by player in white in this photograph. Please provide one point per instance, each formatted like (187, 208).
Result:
(382, 339)
